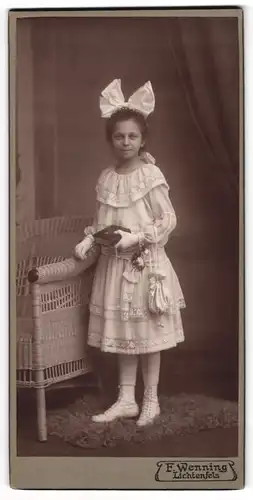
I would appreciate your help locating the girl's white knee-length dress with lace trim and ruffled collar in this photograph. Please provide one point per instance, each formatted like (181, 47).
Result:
(120, 320)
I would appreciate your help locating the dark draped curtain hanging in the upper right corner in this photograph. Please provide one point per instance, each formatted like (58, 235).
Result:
(206, 52)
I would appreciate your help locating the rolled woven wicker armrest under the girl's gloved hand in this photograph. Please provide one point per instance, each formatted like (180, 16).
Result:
(67, 268)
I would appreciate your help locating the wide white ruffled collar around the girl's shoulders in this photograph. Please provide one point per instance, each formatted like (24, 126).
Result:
(121, 190)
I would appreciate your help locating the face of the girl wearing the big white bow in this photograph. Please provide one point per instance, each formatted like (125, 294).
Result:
(126, 140)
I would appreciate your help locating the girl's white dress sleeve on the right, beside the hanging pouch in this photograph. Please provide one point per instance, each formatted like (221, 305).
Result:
(164, 217)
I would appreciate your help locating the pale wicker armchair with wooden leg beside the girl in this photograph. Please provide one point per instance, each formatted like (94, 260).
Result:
(52, 312)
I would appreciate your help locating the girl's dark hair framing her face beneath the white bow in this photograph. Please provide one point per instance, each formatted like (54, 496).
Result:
(124, 114)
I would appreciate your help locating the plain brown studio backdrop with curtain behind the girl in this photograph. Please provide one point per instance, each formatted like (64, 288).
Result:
(193, 64)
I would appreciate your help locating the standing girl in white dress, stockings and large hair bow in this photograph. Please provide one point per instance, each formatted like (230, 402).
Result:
(136, 297)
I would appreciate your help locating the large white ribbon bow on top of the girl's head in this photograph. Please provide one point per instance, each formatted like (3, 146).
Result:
(112, 98)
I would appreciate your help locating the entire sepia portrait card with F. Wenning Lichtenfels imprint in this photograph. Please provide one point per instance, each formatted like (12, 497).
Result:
(126, 171)
